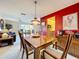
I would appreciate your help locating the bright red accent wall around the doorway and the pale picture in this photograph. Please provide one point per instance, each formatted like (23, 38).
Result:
(71, 9)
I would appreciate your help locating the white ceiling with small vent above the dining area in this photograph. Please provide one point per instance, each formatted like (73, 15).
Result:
(12, 9)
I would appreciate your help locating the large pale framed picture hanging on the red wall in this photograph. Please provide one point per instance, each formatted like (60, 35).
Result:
(70, 22)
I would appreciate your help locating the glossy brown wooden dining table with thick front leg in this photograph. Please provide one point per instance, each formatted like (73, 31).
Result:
(38, 44)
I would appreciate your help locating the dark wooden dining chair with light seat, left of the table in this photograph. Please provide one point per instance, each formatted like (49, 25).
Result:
(26, 48)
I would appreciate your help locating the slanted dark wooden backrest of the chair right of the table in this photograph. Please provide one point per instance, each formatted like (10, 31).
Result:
(69, 39)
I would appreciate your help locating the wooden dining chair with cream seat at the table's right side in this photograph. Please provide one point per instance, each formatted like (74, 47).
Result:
(57, 55)
